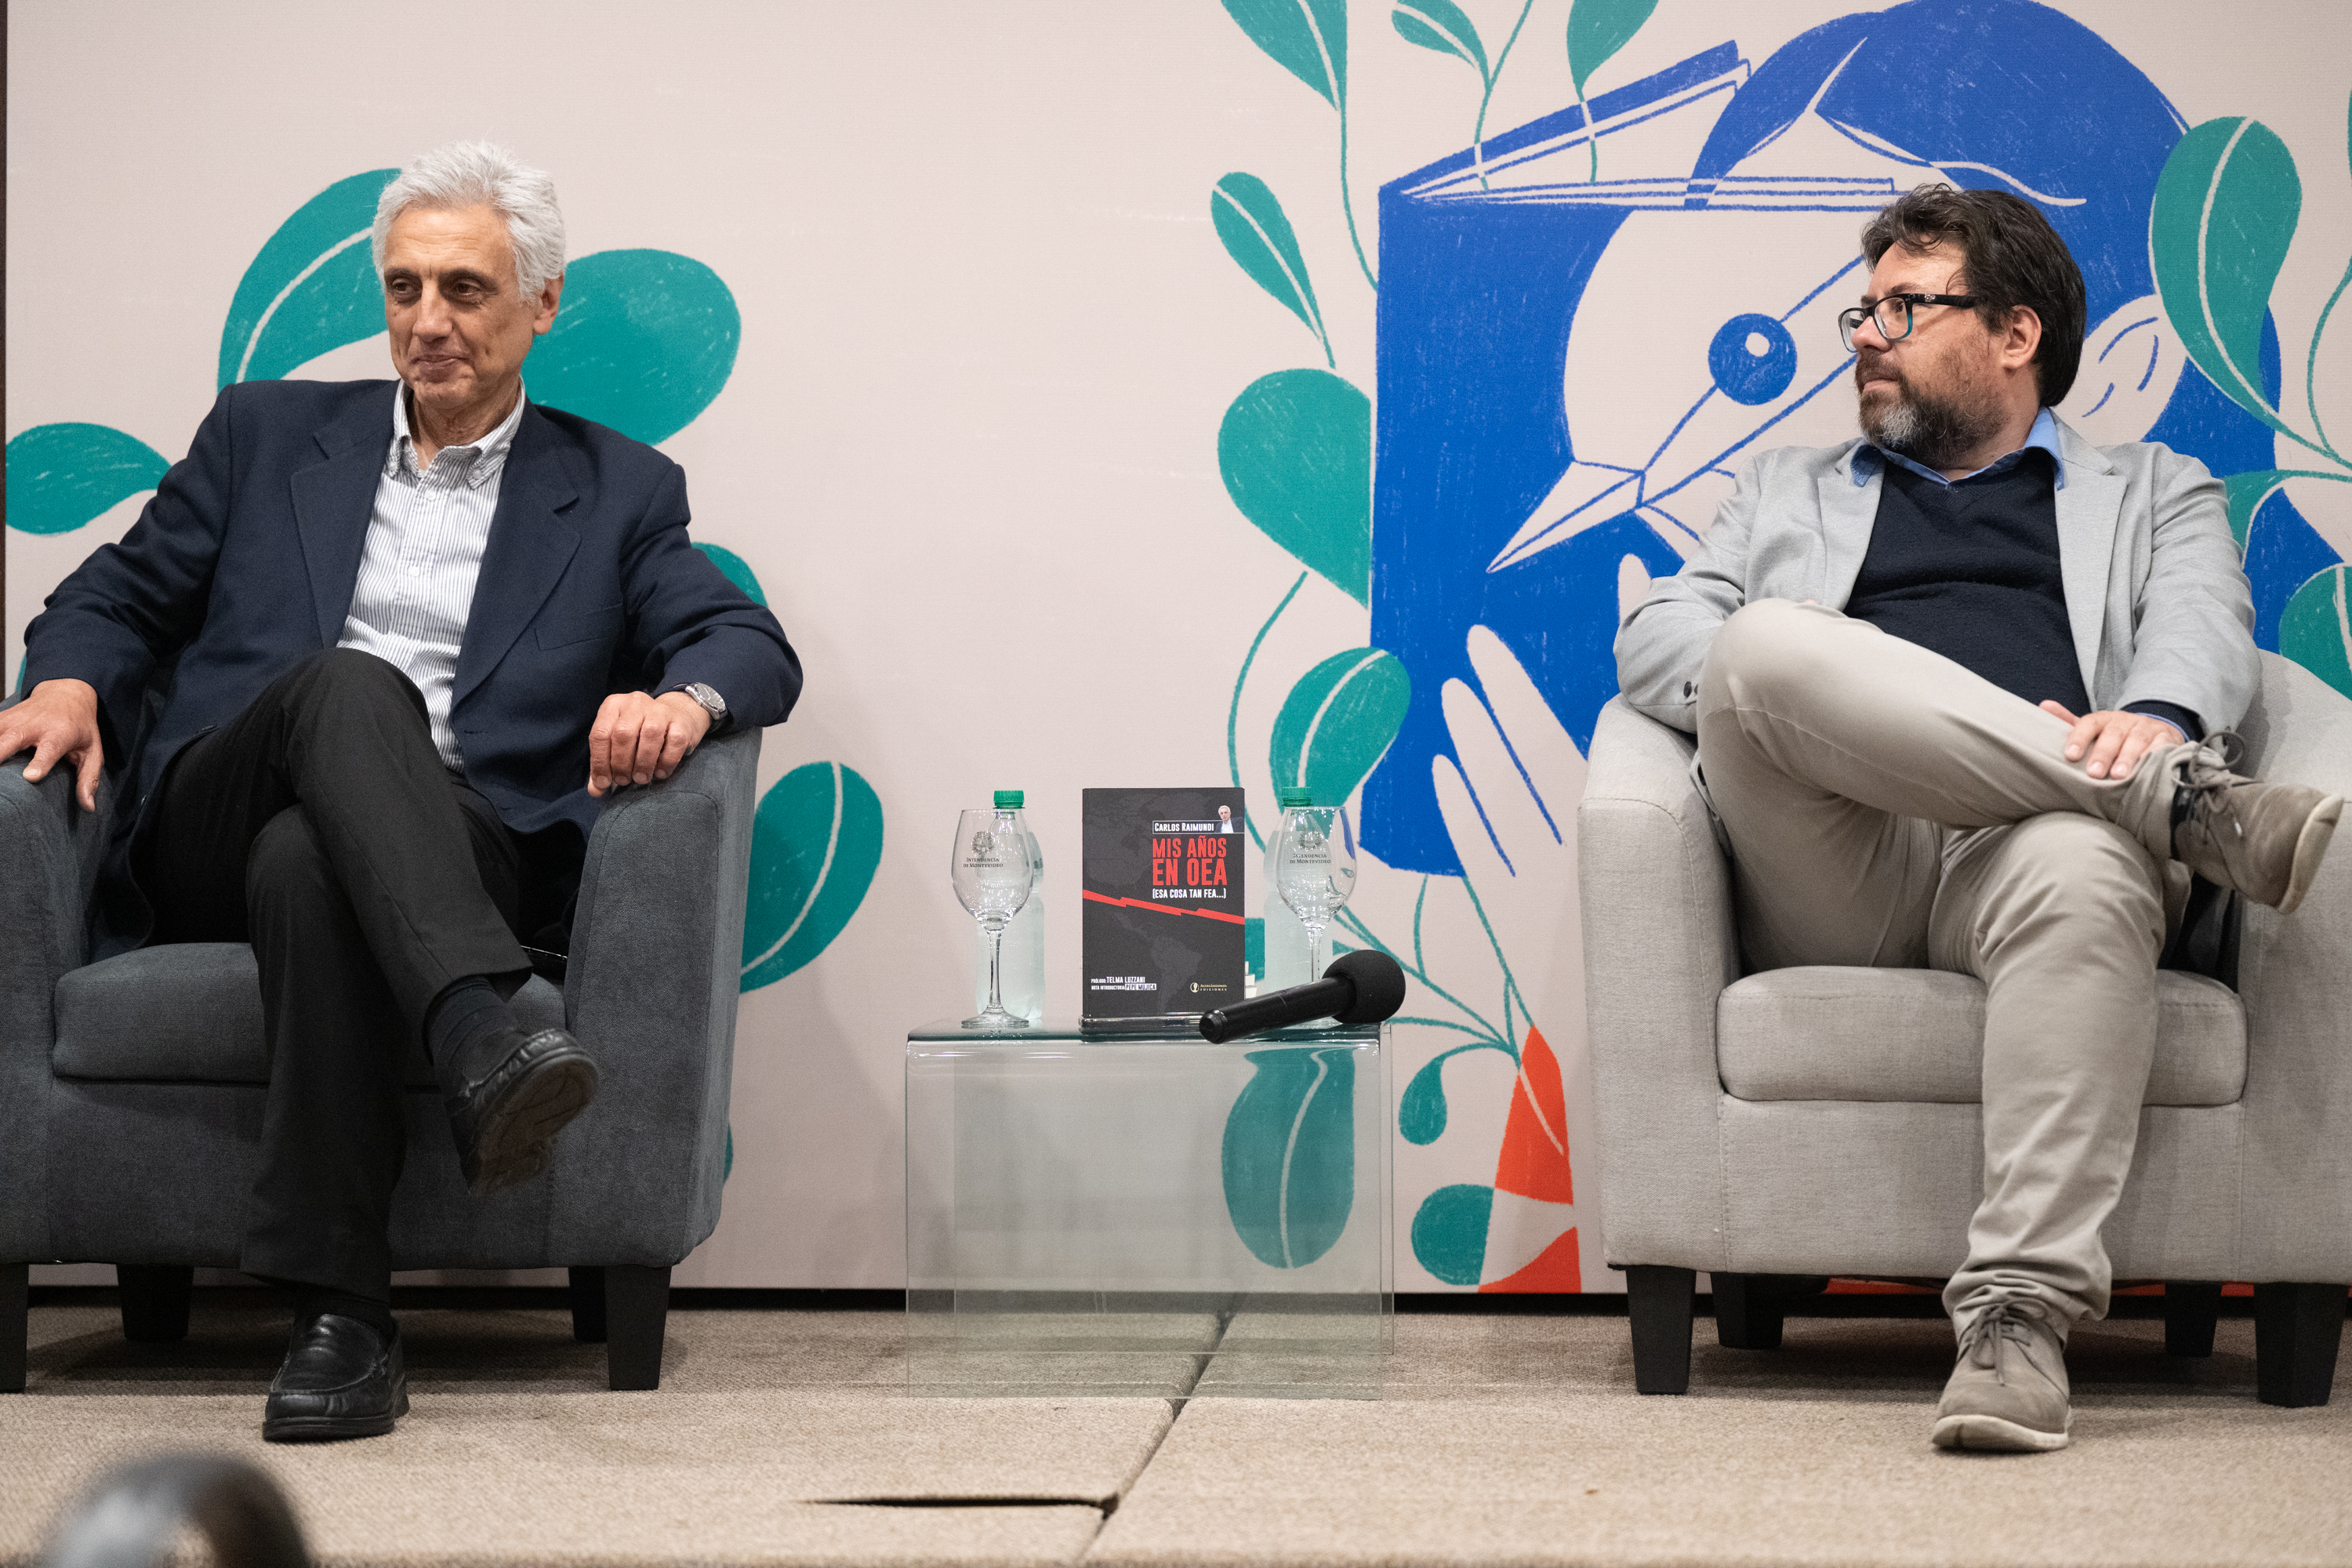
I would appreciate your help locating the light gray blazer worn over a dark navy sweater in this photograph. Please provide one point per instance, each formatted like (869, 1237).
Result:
(2153, 584)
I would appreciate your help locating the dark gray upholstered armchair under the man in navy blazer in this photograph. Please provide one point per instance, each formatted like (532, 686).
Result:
(131, 1090)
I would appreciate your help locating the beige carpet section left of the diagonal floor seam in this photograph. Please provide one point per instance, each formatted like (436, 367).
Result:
(775, 1440)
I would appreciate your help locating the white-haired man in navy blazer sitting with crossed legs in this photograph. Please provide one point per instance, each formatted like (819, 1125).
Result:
(415, 634)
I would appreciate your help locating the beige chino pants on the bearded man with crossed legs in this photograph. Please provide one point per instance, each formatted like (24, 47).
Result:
(1890, 808)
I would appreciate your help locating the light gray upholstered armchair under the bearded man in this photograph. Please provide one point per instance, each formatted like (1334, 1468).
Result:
(1784, 1127)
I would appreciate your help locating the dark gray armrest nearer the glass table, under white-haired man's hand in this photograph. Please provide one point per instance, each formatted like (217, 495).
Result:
(657, 949)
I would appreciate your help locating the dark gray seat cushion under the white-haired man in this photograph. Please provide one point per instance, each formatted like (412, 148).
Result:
(192, 1014)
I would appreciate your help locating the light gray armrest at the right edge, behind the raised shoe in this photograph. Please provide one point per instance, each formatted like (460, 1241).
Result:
(2297, 984)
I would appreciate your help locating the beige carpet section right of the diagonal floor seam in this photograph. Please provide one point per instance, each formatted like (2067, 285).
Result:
(1523, 1442)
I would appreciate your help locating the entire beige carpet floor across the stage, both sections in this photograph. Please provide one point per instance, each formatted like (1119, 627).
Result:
(789, 1438)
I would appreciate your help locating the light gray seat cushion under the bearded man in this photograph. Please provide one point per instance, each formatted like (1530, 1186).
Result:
(1920, 1036)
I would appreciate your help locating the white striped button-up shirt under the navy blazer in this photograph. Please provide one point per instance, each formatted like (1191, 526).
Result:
(425, 551)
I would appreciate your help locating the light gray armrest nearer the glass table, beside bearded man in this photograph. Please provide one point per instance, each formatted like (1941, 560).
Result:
(1659, 949)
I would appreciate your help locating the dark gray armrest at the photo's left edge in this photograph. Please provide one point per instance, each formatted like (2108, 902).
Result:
(51, 855)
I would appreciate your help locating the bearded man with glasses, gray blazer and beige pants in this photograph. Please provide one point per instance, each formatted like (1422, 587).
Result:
(1963, 697)
